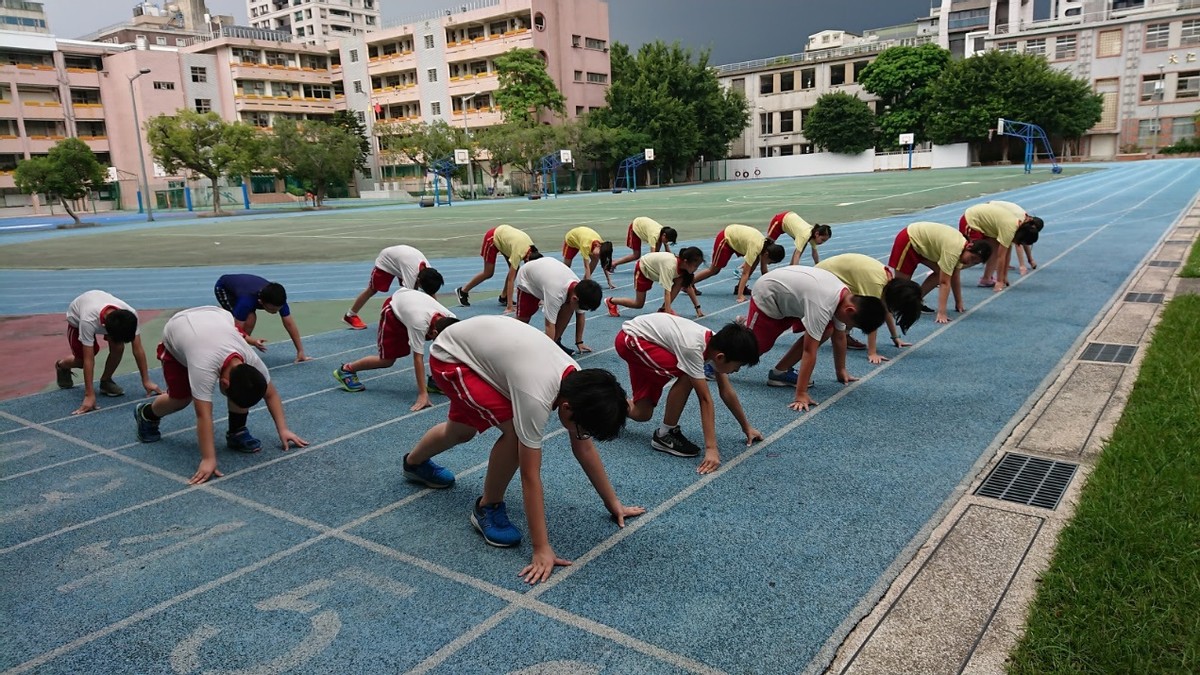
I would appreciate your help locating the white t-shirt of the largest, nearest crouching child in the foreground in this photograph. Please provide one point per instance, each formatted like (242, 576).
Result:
(519, 361)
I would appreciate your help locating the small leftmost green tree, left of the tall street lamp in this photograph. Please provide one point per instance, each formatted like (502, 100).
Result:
(69, 172)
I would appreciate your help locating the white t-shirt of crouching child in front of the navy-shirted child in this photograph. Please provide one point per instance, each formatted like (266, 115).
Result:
(203, 341)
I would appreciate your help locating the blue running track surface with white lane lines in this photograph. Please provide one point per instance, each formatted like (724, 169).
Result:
(326, 560)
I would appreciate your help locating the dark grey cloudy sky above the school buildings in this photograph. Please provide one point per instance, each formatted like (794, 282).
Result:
(734, 31)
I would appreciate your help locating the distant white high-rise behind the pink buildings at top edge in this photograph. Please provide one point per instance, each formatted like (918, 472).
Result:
(315, 21)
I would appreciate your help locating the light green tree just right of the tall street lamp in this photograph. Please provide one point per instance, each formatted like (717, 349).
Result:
(203, 145)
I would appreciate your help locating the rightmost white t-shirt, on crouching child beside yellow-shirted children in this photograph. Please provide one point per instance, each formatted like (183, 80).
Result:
(807, 294)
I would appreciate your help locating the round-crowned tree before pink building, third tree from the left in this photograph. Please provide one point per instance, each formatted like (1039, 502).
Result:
(315, 153)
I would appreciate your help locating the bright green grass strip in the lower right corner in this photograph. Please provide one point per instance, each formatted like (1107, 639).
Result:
(1123, 594)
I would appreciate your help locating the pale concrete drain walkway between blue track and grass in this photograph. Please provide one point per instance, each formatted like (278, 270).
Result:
(959, 605)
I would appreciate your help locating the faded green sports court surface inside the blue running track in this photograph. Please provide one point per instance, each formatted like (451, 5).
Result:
(353, 235)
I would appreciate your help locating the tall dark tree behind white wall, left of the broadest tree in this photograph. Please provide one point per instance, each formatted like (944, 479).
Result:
(902, 77)
